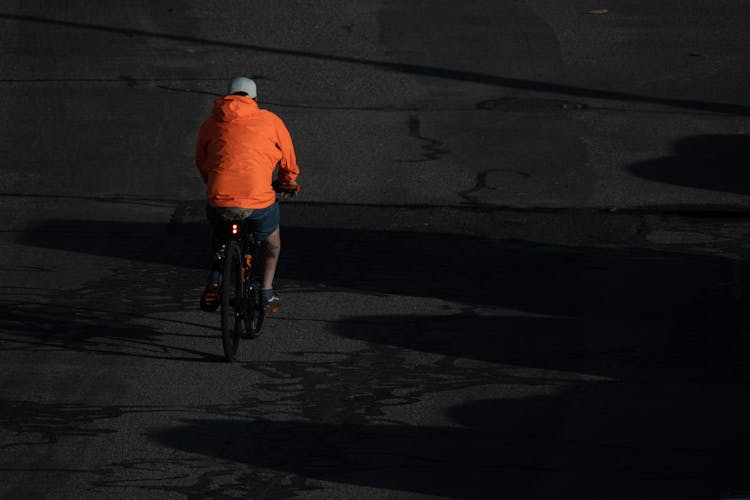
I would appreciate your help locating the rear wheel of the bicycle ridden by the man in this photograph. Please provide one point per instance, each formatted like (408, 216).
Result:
(231, 302)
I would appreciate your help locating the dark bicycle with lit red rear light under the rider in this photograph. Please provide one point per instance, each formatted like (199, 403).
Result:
(240, 298)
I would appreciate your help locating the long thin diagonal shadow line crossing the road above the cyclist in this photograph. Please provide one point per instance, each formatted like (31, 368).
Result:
(414, 69)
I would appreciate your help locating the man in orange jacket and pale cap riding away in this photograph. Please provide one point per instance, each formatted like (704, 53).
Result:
(239, 147)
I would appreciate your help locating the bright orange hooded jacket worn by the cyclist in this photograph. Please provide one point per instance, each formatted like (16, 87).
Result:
(238, 148)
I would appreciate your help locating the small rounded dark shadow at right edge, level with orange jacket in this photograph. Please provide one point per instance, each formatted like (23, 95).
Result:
(716, 162)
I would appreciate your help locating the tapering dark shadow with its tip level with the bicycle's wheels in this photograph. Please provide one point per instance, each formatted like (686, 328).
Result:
(691, 344)
